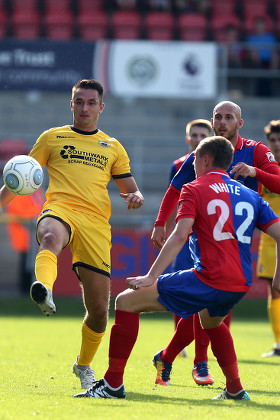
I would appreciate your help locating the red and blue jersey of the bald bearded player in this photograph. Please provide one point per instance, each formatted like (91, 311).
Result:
(254, 154)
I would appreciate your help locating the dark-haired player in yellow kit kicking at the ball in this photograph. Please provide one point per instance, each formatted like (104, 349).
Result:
(80, 161)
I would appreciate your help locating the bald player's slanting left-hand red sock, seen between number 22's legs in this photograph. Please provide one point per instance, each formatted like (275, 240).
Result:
(183, 337)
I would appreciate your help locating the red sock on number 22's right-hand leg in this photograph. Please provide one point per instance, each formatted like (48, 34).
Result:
(223, 349)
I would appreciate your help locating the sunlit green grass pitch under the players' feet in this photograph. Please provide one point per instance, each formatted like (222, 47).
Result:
(37, 354)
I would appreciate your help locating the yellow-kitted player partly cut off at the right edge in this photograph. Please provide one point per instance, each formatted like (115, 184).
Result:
(267, 253)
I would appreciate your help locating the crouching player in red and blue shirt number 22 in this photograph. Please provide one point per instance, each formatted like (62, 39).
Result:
(223, 215)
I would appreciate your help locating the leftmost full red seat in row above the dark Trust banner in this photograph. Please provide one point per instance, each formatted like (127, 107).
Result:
(26, 23)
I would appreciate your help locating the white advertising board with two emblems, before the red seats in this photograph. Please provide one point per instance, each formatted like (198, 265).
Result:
(160, 69)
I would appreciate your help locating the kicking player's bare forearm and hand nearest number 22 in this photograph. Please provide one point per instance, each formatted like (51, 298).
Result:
(130, 192)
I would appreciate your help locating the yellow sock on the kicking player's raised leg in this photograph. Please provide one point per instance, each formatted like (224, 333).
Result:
(46, 268)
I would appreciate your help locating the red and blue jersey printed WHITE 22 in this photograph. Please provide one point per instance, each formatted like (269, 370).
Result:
(226, 214)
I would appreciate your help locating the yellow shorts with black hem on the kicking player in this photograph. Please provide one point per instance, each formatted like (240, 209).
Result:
(90, 238)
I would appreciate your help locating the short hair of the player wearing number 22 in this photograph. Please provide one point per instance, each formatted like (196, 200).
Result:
(219, 148)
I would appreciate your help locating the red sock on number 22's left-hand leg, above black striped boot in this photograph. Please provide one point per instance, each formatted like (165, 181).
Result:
(123, 337)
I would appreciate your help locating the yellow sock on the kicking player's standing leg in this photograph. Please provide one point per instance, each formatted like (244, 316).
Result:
(90, 344)
